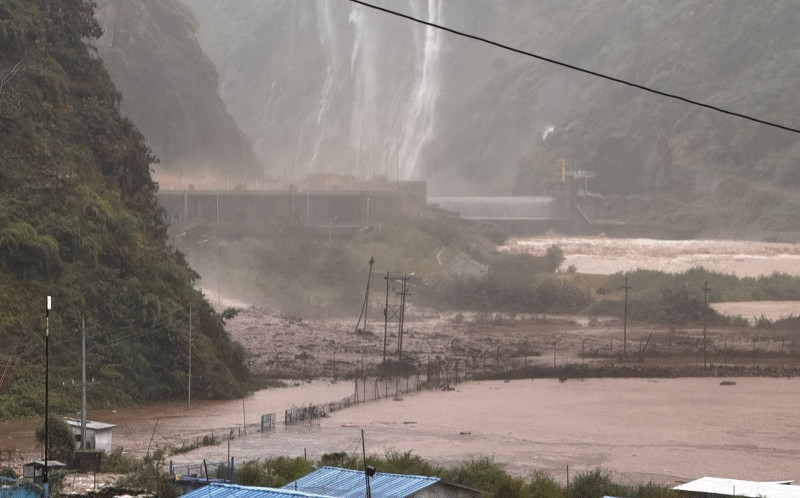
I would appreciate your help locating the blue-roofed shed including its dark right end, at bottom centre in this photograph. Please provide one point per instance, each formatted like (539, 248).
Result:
(346, 483)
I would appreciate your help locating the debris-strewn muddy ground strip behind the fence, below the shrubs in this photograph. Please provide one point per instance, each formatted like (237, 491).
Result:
(285, 346)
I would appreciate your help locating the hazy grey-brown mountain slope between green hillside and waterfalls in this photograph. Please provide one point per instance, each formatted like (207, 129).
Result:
(169, 86)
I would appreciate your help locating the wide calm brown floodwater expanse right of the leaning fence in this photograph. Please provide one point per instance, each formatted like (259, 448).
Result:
(664, 430)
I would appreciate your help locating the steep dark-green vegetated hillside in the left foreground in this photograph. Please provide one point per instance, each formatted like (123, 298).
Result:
(79, 221)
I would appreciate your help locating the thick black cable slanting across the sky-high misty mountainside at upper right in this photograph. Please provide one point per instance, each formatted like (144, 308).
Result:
(578, 68)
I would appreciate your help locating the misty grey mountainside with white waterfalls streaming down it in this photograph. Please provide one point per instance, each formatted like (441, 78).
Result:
(313, 80)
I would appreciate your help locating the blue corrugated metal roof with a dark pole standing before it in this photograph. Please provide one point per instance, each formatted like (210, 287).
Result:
(344, 483)
